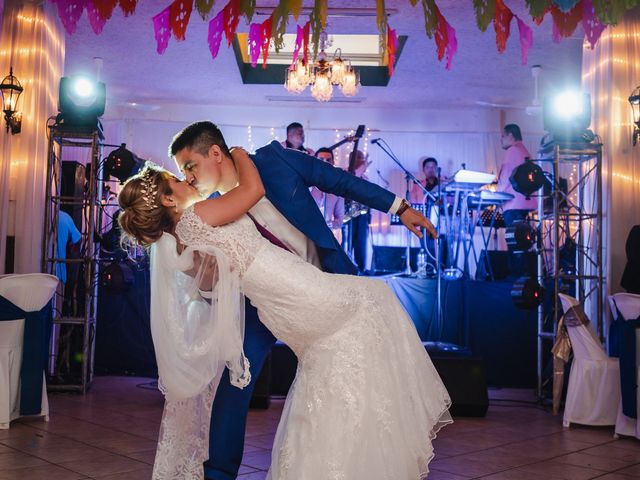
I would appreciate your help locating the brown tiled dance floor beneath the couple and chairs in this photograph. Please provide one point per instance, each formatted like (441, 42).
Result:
(110, 434)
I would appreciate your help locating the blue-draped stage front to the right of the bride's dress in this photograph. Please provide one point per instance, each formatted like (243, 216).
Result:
(480, 317)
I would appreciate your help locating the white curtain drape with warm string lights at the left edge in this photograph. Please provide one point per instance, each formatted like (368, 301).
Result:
(32, 41)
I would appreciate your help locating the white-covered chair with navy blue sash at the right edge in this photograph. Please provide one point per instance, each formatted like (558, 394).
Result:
(624, 342)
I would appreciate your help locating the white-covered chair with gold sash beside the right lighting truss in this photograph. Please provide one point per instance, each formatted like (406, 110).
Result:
(593, 394)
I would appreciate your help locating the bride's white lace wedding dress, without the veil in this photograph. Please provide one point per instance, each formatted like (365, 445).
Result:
(366, 402)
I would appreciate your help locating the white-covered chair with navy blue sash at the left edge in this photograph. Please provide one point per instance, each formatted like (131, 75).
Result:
(25, 315)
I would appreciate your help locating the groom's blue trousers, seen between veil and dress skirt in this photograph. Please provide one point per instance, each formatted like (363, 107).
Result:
(231, 405)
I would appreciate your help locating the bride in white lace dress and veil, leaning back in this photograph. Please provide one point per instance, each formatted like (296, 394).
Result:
(366, 401)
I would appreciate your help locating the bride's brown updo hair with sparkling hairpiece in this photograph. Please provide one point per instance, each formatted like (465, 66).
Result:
(143, 218)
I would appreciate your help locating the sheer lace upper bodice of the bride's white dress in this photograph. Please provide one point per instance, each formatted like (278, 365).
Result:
(239, 240)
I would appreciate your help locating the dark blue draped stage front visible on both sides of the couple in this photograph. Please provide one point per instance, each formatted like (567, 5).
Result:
(478, 316)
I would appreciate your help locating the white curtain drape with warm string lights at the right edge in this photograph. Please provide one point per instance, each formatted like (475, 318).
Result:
(610, 73)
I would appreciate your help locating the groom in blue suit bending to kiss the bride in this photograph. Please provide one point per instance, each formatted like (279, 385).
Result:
(289, 213)
